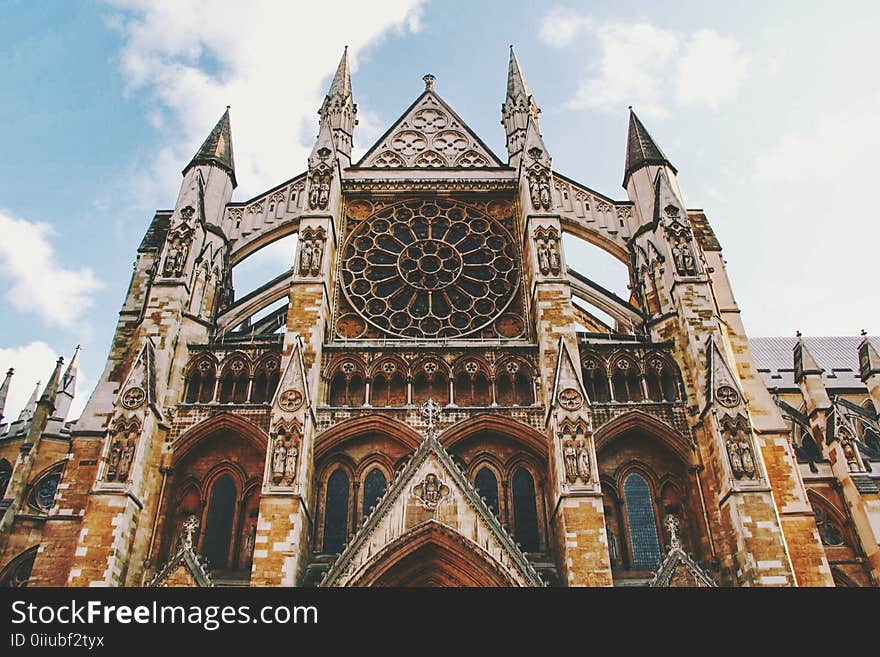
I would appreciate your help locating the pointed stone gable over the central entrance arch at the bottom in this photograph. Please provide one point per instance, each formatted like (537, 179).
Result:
(432, 492)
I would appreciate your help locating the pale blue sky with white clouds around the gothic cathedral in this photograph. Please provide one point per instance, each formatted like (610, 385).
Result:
(766, 109)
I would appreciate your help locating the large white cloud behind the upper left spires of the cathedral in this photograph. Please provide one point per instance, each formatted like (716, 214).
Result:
(270, 61)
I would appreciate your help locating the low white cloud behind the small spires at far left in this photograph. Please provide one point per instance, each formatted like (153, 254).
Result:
(34, 362)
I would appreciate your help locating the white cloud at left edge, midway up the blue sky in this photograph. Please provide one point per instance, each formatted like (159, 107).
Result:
(39, 284)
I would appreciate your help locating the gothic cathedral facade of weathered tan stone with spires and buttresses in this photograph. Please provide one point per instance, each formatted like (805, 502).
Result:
(425, 398)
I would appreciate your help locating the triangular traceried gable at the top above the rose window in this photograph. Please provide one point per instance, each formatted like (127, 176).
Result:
(429, 135)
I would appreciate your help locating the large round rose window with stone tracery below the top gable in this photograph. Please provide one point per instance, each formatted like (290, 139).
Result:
(429, 269)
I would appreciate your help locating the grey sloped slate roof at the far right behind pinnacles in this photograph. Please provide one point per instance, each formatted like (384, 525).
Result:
(837, 355)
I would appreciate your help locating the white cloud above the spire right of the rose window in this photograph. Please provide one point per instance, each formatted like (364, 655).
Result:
(647, 66)
